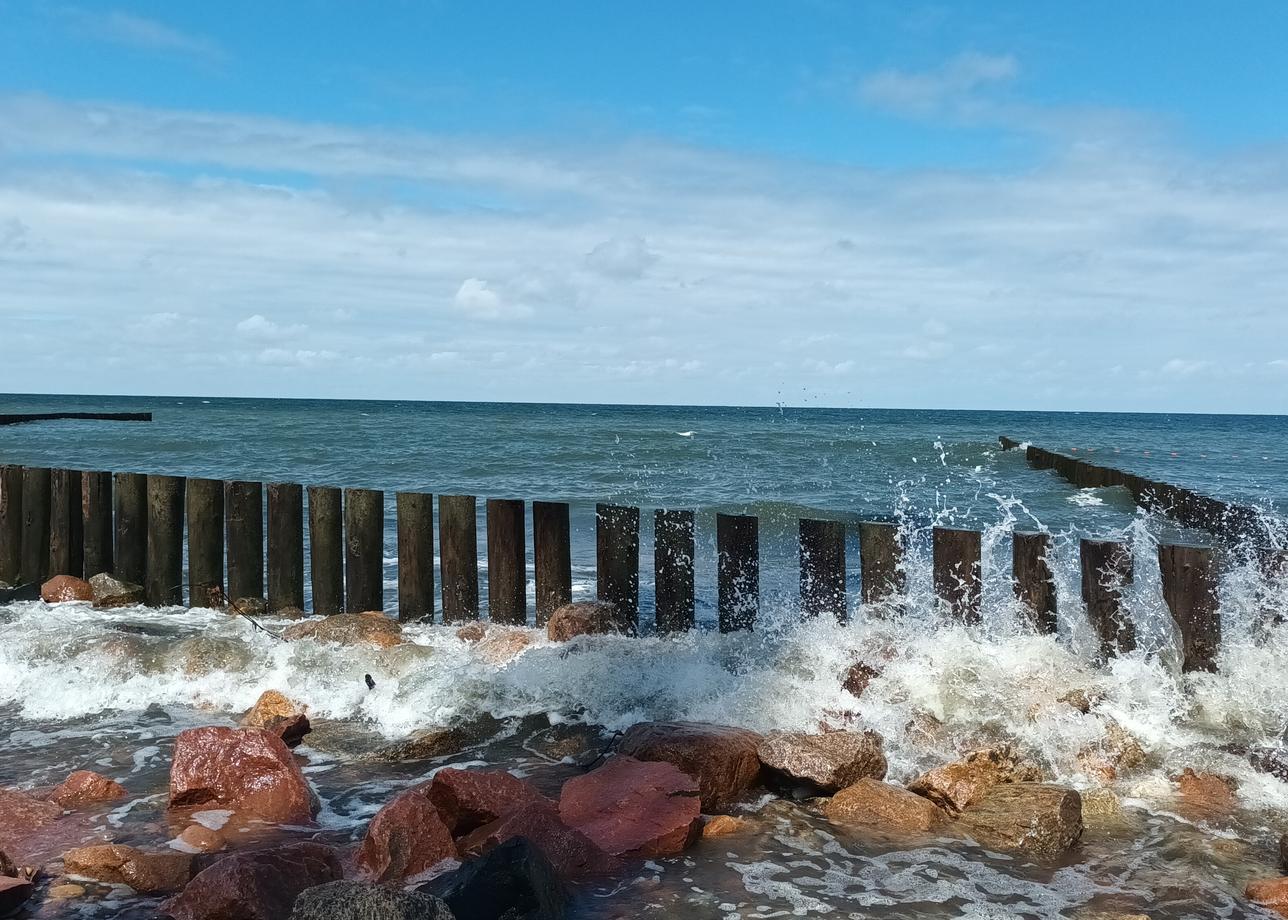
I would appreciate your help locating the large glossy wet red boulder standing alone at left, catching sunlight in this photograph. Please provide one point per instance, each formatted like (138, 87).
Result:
(247, 770)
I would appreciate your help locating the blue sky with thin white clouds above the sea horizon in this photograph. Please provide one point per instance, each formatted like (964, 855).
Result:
(976, 206)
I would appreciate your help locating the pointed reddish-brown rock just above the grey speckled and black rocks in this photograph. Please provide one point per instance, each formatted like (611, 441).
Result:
(405, 838)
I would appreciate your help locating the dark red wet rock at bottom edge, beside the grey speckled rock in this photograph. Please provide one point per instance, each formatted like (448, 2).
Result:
(257, 885)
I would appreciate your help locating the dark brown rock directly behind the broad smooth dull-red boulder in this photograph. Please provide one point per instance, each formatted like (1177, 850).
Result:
(721, 758)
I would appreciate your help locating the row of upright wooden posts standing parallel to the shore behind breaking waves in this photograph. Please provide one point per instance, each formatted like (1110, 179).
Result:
(73, 522)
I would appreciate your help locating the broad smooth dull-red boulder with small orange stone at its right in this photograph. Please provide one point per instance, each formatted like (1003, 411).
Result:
(634, 809)
